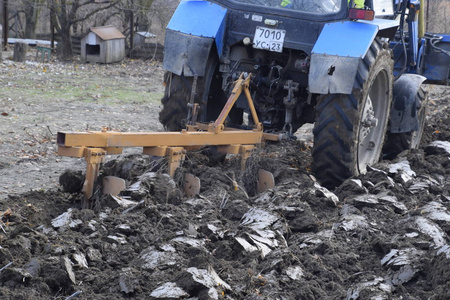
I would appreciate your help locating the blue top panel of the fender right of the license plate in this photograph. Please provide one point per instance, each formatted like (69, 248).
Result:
(347, 38)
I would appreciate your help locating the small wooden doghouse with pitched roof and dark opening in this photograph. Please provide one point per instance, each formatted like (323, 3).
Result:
(103, 44)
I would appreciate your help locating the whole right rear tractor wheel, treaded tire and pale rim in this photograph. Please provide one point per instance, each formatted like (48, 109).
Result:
(349, 130)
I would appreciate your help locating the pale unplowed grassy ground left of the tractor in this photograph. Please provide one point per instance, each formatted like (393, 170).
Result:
(38, 100)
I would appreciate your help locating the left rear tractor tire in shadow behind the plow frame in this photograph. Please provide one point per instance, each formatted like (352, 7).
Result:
(209, 95)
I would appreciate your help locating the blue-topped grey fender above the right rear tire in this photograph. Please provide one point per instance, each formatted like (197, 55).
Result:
(338, 52)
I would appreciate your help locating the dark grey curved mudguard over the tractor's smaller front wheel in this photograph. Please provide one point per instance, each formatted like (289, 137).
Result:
(406, 103)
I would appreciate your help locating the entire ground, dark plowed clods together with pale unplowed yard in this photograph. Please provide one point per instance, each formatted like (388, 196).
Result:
(383, 235)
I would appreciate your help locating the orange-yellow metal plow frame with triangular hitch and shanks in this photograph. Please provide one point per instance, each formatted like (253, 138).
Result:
(93, 146)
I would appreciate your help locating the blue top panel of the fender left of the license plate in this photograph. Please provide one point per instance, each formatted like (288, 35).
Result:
(200, 18)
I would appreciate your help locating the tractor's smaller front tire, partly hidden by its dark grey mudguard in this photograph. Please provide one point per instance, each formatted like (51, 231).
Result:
(396, 143)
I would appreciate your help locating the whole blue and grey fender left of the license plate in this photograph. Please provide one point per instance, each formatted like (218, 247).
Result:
(193, 29)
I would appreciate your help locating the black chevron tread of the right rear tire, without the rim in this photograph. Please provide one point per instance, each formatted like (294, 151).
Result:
(334, 131)
